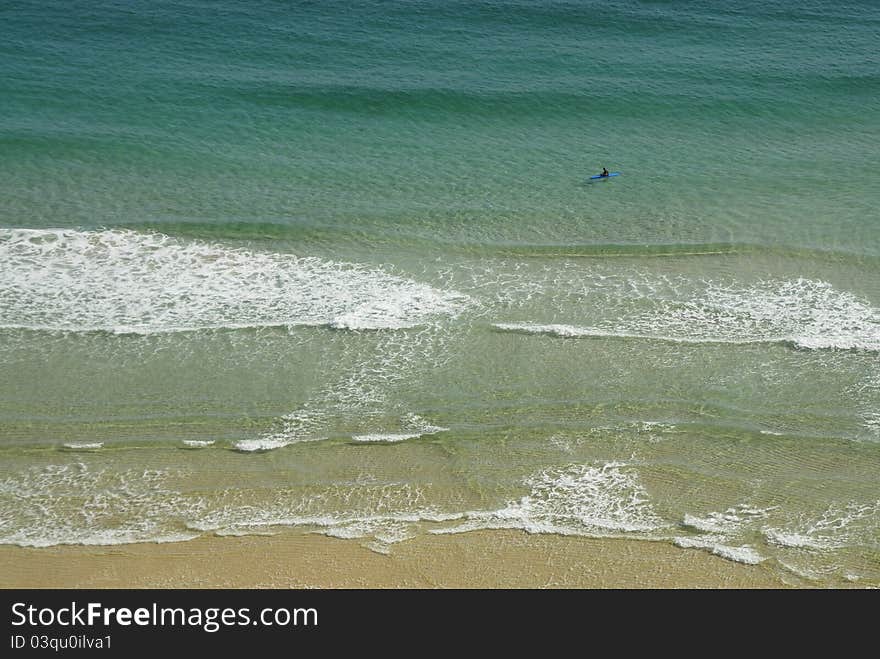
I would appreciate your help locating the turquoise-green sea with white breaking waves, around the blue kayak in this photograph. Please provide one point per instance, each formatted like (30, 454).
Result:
(339, 266)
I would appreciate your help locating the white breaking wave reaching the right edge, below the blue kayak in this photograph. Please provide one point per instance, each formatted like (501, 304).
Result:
(808, 314)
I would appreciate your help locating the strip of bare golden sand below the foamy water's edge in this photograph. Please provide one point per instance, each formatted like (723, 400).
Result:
(290, 559)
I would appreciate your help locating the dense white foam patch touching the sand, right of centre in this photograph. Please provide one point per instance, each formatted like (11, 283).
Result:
(574, 500)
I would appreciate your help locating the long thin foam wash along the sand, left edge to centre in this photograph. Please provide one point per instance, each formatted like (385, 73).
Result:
(78, 504)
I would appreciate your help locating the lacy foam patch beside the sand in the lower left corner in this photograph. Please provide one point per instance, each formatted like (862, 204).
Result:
(75, 504)
